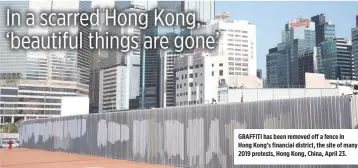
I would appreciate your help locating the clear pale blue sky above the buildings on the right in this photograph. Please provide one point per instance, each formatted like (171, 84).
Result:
(270, 19)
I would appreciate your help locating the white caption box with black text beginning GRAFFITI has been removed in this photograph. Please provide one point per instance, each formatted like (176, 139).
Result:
(344, 153)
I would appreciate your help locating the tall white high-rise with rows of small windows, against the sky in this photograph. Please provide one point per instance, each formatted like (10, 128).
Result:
(236, 43)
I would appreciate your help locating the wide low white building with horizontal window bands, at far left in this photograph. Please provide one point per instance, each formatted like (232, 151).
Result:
(28, 99)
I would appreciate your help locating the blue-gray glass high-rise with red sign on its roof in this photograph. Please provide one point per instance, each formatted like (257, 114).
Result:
(283, 63)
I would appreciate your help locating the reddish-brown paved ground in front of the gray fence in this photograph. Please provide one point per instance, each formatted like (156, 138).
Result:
(28, 158)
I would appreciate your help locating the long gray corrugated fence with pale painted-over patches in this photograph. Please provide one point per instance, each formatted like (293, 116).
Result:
(190, 136)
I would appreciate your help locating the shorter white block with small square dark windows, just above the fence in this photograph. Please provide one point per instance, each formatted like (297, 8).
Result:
(197, 78)
